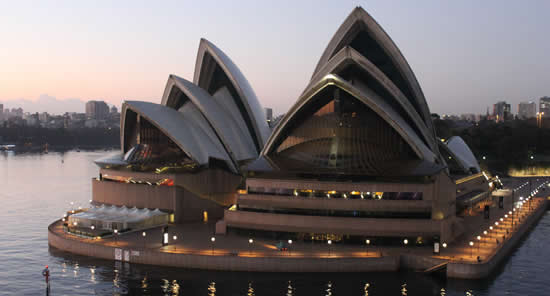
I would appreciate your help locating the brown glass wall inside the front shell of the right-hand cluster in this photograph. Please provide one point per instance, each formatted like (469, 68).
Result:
(338, 133)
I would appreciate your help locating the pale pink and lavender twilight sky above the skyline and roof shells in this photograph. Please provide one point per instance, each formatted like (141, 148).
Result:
(466, 54)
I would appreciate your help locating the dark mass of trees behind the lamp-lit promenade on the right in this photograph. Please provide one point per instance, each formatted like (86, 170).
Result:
(516, 143)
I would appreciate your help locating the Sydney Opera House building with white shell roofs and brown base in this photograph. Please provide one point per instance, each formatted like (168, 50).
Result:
(356, 155)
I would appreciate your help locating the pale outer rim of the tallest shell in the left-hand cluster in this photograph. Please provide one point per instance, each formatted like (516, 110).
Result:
(240, 83)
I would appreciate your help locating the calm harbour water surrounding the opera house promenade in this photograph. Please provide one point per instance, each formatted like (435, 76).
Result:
(36, 189)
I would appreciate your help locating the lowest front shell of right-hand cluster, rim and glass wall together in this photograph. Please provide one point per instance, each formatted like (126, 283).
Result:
(337, 126)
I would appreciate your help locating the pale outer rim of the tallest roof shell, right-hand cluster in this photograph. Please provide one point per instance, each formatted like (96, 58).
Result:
(367, 23)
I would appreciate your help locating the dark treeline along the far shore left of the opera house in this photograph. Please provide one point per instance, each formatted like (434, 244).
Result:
(32, 137)
